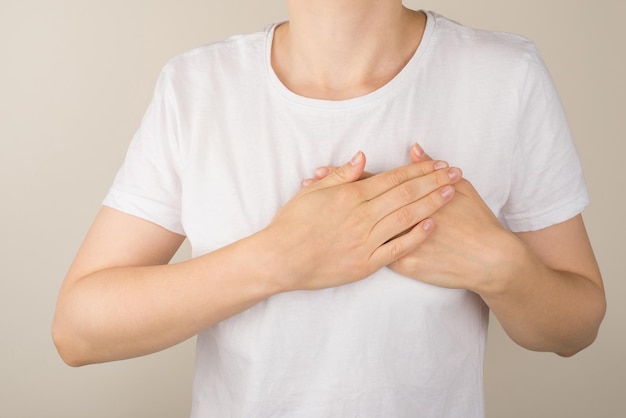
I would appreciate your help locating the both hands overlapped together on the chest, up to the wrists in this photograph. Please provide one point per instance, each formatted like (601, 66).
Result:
(422, 220)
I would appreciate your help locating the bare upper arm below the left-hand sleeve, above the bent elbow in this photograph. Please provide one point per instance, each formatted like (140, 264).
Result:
(117, 239)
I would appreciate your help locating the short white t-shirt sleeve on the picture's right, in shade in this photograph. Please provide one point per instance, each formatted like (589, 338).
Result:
(547, 183)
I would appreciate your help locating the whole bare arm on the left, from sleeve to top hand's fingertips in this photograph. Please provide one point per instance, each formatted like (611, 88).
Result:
(120, 299)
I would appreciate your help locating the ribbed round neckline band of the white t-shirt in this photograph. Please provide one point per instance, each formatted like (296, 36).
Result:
(395, 84)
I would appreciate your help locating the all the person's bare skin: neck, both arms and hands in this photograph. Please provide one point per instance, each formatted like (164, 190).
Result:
(121, 299)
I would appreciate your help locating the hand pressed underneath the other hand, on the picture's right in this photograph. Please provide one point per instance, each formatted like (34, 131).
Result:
(469, 248)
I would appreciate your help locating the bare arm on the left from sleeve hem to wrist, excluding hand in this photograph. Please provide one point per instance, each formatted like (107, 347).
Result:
(121, 300)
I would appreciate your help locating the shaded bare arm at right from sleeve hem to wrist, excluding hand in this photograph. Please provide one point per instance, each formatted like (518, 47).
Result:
(555, 301)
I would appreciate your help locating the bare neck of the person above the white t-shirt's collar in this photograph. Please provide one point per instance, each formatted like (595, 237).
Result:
(339, 49)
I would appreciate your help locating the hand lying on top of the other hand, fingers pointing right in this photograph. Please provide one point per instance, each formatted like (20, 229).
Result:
(342, 228)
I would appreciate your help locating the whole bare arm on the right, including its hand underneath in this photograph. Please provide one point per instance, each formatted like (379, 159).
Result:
(544, 287)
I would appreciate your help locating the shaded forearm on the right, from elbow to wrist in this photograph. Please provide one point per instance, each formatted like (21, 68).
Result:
(544, 309)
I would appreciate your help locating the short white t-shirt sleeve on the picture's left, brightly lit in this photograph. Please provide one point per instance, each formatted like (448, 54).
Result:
(148, 183)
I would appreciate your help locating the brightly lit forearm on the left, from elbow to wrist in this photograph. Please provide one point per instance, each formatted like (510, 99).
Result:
(126, 312)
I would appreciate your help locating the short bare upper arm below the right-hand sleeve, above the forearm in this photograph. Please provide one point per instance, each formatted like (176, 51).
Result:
(565, 247)
